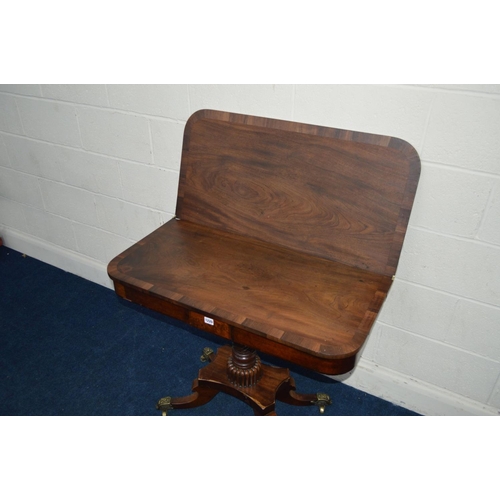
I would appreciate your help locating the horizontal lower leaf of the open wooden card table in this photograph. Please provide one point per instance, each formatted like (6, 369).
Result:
(312, 303)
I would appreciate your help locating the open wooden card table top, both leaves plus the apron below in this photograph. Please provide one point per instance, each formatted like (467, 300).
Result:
(285, 240)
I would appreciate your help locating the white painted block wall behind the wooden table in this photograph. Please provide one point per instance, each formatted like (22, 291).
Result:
(85, 171)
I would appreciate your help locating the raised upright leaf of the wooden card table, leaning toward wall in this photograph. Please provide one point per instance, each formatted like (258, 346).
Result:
(340, 199)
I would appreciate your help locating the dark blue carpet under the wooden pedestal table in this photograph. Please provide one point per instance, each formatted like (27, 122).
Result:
(71, 347)
